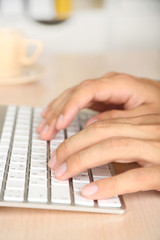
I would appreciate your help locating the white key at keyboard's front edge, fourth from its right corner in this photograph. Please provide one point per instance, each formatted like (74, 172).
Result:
(37, 194)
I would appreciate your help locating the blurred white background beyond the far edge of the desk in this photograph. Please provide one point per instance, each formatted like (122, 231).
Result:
(92, 26)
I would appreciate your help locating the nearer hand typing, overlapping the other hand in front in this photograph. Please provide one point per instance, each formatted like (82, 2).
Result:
(122, 140)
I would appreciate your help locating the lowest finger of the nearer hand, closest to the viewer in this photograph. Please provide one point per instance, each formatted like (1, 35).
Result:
(141, 179)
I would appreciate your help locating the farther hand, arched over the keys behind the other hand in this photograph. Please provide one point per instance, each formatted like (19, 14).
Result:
(111, 95)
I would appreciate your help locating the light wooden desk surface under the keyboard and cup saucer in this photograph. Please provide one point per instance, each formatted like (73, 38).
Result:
(142, 218)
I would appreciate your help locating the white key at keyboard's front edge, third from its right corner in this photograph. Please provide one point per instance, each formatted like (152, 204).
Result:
(60, 194)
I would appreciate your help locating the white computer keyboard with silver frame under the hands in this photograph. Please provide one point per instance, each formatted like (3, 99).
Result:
(25, 179)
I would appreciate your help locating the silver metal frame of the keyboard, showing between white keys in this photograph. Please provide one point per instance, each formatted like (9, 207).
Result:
(49, 204)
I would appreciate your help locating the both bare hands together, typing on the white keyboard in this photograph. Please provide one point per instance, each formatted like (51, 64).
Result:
(126, 128)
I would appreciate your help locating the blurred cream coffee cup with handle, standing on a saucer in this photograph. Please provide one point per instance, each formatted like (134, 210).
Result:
(13, 52)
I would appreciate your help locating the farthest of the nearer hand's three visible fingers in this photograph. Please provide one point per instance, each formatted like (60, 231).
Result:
(103, 130)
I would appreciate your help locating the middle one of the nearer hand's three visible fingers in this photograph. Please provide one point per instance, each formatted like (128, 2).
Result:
(123, 150)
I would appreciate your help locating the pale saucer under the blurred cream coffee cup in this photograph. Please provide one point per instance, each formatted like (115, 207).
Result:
(28, 75)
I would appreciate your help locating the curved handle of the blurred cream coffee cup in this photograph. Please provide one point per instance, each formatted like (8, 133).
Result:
(38, 49)
